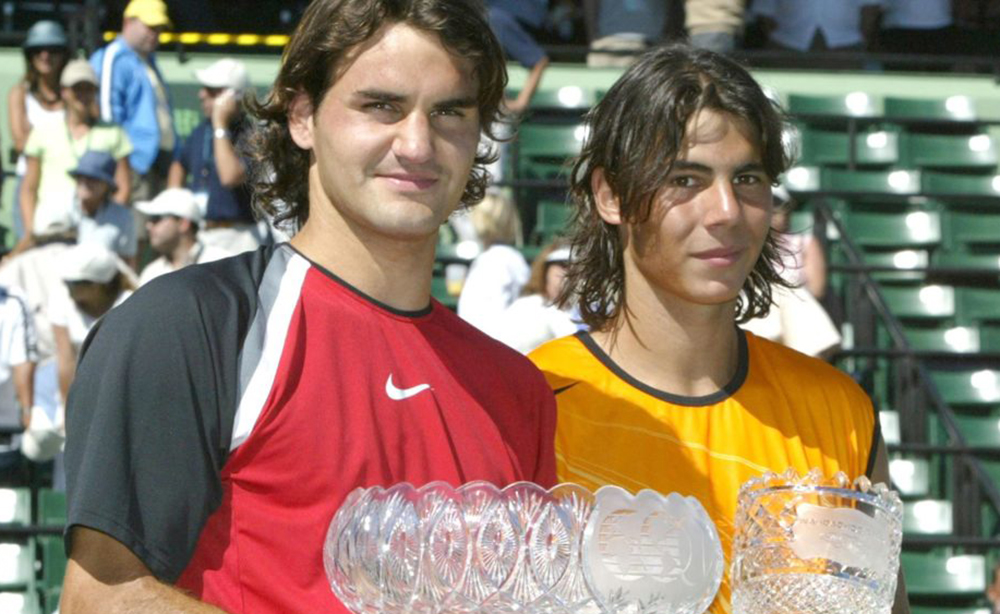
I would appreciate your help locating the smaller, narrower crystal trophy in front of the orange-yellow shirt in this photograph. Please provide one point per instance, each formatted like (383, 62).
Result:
(815, 545)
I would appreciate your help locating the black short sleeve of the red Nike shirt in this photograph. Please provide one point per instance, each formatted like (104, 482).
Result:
(149, 417)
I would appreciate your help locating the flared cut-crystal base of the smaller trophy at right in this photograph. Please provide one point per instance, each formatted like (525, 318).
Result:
(803, 593)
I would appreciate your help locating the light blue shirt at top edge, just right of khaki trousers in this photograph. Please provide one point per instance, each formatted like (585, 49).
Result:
(798, 20)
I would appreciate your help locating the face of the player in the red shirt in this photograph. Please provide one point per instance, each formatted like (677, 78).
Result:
(394, 138)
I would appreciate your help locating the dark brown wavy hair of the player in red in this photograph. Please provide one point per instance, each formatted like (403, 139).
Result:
(326, 35)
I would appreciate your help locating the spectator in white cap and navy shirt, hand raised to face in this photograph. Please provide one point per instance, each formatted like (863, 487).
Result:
(217, 171)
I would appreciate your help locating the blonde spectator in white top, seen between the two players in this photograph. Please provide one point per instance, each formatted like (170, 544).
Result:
(500, 271)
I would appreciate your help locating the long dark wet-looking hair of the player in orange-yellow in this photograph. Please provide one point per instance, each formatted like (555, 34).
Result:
(635, 134)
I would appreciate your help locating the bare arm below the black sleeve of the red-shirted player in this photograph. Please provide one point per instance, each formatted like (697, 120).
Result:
(105, 577)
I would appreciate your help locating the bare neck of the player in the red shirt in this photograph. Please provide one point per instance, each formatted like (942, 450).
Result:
(396, 272)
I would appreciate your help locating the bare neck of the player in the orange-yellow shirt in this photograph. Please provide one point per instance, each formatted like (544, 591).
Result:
(673, 345)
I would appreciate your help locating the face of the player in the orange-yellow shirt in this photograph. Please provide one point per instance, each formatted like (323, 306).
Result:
(708, 224)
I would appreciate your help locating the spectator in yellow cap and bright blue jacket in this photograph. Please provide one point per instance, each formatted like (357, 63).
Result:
(134, 94)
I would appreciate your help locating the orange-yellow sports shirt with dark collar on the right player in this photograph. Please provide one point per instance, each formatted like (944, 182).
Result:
(782, 409)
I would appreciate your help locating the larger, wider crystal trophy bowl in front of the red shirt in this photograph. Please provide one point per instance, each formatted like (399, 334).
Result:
(522, 549)
